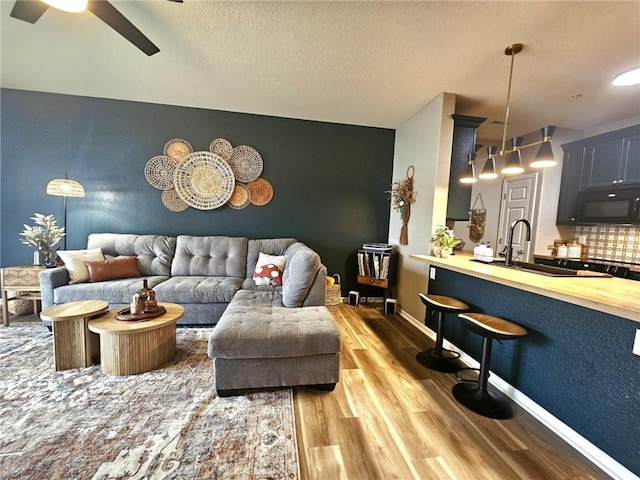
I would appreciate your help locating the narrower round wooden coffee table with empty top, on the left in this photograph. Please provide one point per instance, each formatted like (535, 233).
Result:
(71, 337)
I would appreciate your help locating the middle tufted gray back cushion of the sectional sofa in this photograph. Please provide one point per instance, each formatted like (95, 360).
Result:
(210, 256)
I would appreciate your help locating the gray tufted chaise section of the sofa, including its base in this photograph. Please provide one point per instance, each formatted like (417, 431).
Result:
(260, 343)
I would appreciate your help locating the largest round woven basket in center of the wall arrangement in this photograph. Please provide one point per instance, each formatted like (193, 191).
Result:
(204, 180)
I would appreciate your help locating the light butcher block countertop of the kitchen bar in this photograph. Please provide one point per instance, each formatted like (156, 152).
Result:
(616, 296)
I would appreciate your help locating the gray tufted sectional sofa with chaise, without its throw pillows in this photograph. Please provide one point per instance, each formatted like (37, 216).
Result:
(264, 335)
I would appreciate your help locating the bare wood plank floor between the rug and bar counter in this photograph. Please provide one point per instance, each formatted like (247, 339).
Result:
(390, 417)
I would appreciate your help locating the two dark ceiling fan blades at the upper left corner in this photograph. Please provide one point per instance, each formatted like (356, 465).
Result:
(31, 10)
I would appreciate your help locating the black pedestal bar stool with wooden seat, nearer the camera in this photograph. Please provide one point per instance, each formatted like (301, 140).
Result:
(474, 394)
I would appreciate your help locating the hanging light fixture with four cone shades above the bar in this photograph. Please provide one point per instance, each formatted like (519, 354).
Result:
(513, 160)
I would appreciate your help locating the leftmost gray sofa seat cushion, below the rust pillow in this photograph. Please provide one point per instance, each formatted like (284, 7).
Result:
(116, 292)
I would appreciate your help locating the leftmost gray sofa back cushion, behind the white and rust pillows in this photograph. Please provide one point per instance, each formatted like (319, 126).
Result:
(154, 252)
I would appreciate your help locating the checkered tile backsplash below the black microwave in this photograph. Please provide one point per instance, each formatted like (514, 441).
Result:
(619, 243)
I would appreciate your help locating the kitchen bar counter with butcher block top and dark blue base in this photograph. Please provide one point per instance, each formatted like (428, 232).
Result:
(576, 362)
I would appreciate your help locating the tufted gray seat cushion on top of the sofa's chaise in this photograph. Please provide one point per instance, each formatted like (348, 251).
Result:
(256, 325)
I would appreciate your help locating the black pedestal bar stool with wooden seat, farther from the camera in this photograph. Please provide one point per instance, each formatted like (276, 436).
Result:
(440, 358)
